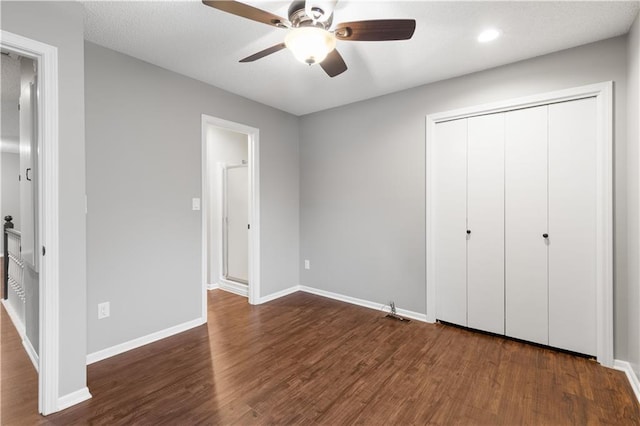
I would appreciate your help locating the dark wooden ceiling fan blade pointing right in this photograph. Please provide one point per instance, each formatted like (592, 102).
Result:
(377, 30)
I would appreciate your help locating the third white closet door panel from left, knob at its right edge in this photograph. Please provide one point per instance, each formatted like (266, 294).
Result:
(526, 296)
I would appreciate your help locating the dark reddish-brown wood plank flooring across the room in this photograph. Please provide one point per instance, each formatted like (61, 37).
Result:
(304, 359)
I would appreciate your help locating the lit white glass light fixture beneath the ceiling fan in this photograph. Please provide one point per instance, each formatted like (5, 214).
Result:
(310, 45)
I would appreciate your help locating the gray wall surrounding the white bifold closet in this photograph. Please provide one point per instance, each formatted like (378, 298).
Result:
(362, 202)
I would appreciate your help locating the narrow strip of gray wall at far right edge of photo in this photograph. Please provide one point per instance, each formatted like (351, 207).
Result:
(633, 191)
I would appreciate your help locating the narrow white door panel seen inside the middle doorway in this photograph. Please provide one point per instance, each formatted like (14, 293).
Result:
(237, 220)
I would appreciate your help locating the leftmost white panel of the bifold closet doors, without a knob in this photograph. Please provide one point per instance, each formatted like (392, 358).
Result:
(449, 221)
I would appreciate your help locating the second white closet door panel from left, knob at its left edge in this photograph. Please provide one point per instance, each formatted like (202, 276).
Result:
(485, 220)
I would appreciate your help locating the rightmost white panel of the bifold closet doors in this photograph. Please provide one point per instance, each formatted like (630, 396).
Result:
(572, 225)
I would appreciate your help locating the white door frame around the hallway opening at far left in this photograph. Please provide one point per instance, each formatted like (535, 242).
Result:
(46, 57)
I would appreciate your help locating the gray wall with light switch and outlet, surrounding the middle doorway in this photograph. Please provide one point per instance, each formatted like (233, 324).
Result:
(143, 167)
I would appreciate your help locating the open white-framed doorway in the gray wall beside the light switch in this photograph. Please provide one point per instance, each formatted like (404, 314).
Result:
(230, 208)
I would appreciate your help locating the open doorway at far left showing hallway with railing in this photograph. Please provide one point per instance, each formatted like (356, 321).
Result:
(19, 135)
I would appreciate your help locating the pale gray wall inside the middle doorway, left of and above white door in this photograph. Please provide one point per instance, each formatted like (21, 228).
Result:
(223, 146)
